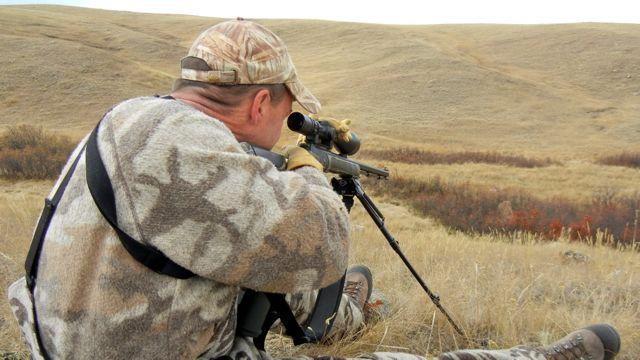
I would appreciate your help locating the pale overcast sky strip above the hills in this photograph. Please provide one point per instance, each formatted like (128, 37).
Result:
(386, 12)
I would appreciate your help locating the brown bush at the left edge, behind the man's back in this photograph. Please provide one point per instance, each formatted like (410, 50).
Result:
(29, 152)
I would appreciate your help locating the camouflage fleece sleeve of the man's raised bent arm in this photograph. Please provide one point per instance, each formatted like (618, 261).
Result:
(229, 216)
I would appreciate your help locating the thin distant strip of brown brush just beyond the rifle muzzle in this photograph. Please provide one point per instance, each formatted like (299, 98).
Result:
(414, 156)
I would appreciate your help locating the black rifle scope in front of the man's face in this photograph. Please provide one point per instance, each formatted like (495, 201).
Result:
(321, 133)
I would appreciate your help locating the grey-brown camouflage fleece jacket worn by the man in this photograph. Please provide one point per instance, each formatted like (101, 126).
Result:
(184, 185)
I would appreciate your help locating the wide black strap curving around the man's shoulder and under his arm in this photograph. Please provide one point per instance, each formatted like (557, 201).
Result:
(102, 194)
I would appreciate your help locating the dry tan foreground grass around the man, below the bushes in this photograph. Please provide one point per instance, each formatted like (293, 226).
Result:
(509, 291)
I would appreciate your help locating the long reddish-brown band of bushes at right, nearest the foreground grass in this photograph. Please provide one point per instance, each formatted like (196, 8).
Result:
(475, 209)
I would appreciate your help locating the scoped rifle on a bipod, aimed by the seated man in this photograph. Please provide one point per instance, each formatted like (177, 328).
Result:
(320, 139)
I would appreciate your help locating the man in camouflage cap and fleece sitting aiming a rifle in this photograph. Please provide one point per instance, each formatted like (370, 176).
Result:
(183, 184)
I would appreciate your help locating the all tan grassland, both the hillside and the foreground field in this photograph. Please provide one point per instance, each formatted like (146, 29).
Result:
(567, 92)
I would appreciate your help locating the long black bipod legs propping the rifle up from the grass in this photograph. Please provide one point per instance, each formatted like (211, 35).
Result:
(348, 187)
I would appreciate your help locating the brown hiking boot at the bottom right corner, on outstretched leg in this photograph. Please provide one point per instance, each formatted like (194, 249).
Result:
(595, 342)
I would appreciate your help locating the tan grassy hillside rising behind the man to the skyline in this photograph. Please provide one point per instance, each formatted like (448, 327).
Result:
(562, 90)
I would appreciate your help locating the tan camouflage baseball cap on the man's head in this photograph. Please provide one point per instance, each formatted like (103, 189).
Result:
(243, 52)
